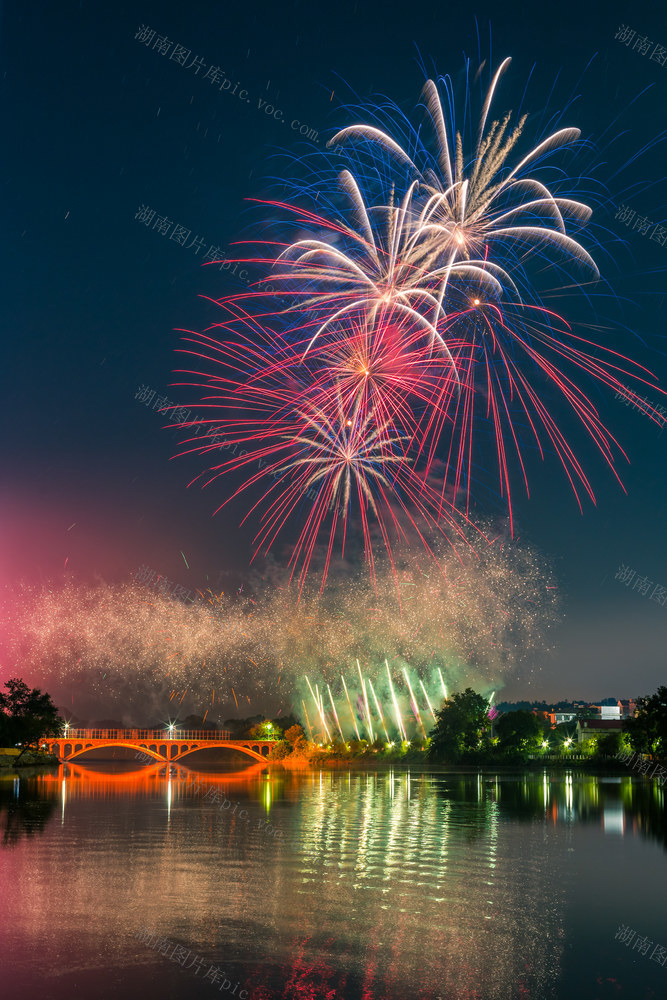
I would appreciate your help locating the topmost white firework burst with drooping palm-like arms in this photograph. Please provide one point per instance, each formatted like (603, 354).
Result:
(466, 195)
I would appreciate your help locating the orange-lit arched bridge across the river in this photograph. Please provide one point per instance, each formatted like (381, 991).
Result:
(164, 745)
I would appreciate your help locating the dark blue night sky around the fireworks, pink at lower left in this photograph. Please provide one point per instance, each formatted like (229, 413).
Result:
(97, 124)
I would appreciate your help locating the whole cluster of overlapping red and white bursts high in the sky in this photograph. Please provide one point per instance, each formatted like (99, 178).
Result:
(408, 342)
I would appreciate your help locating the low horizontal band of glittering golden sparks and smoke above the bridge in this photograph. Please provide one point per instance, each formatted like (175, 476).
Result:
(481, 616)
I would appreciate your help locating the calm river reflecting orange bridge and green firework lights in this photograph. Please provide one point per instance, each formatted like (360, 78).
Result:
(118, 882)
